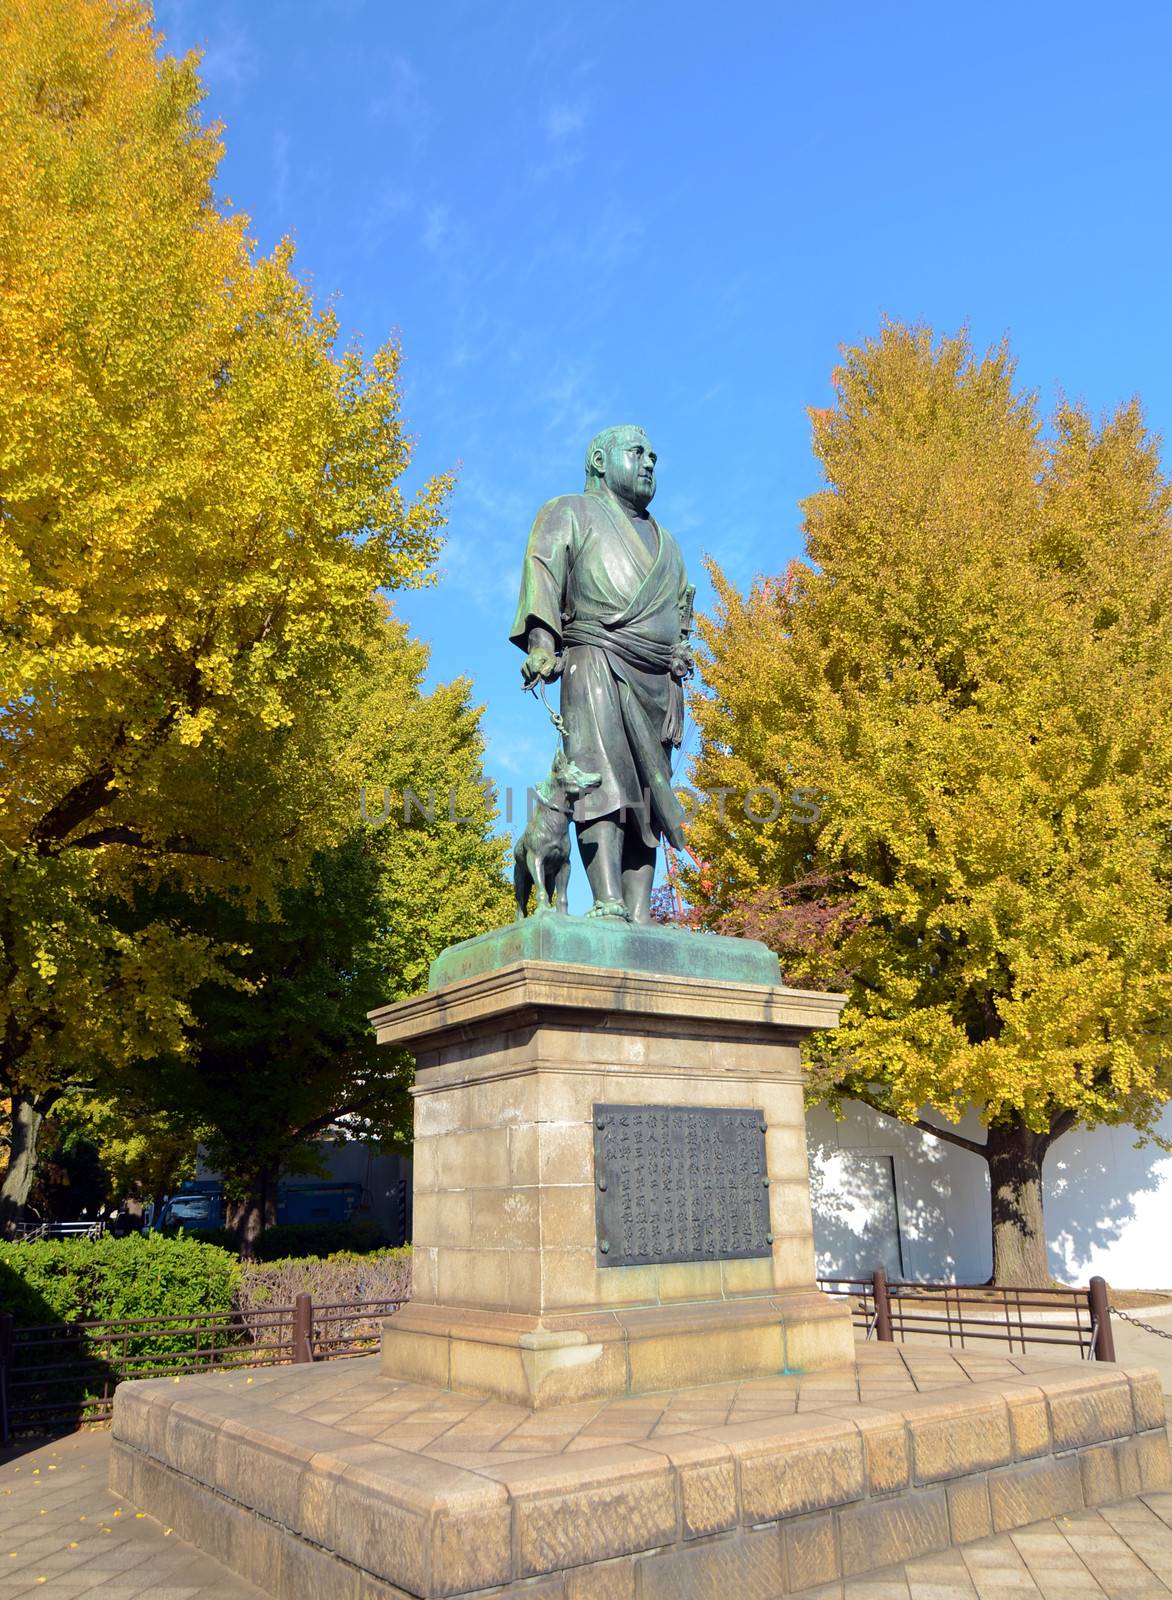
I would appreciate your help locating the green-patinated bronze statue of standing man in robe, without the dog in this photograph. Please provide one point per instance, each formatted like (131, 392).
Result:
(606, 606)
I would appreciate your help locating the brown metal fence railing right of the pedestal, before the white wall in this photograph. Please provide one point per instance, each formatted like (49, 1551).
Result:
(965, 1313)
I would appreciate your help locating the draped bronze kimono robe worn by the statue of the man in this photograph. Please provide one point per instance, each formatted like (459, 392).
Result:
(616, 610)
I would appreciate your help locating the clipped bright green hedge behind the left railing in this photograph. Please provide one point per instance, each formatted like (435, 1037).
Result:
(94, 1281)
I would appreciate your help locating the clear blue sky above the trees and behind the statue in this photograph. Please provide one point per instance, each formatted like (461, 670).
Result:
(675, 214)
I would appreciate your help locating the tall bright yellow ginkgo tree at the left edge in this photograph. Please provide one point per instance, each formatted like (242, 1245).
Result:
(199, 500)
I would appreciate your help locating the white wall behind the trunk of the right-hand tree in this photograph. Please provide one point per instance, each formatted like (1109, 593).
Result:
(1109, 1207)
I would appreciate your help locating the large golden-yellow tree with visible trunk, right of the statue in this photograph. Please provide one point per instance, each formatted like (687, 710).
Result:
(973, 673)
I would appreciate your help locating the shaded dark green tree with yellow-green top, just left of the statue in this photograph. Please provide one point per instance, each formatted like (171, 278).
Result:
(281, 1049)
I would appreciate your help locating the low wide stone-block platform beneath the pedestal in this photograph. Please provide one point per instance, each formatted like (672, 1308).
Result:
(342, 1482)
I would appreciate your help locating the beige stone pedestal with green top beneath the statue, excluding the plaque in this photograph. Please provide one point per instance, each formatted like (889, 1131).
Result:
(521, 1038)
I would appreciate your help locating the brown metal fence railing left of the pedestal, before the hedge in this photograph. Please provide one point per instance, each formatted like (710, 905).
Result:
(66, 1374)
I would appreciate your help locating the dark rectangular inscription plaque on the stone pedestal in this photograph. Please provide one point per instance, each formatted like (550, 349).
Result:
(680, 1183)
